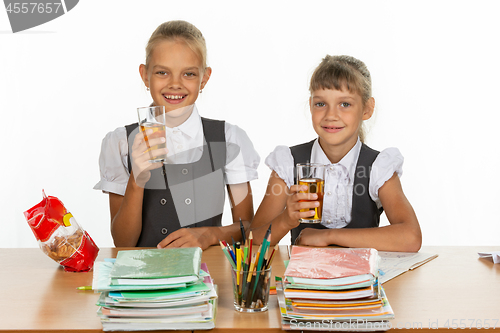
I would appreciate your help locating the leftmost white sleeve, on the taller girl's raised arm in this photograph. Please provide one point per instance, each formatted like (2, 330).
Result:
(113, 164)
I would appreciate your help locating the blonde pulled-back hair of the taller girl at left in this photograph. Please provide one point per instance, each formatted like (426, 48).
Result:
(179, 31)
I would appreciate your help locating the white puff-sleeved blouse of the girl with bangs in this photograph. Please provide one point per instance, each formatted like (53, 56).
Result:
(339, 178)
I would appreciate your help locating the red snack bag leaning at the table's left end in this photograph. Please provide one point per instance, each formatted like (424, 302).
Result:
(60, 236)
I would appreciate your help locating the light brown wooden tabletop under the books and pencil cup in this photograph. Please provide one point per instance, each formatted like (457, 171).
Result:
(457, 288)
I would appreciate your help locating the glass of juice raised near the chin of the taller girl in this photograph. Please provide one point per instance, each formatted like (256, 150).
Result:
(153, 117)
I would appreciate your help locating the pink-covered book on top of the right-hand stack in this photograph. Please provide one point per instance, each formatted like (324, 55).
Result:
(331, 263)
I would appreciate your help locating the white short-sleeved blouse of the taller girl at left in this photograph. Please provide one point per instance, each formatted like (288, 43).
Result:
(186, 138)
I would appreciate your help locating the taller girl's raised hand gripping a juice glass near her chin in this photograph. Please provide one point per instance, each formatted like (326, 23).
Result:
(141, 154)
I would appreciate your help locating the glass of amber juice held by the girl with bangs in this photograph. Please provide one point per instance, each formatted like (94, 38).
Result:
(312, 175)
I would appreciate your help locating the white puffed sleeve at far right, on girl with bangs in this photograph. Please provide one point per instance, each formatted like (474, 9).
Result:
(385, 165)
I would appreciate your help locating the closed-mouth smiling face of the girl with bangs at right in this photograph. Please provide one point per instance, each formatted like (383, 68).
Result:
(337, 116)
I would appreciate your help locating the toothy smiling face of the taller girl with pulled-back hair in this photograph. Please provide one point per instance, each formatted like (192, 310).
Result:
(174, 75)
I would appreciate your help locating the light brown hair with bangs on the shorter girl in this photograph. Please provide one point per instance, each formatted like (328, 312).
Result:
(343, 72)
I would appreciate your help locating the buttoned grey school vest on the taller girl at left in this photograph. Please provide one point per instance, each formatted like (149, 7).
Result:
(184, 195)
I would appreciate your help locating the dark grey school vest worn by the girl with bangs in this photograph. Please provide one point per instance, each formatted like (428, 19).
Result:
(365, 213)
